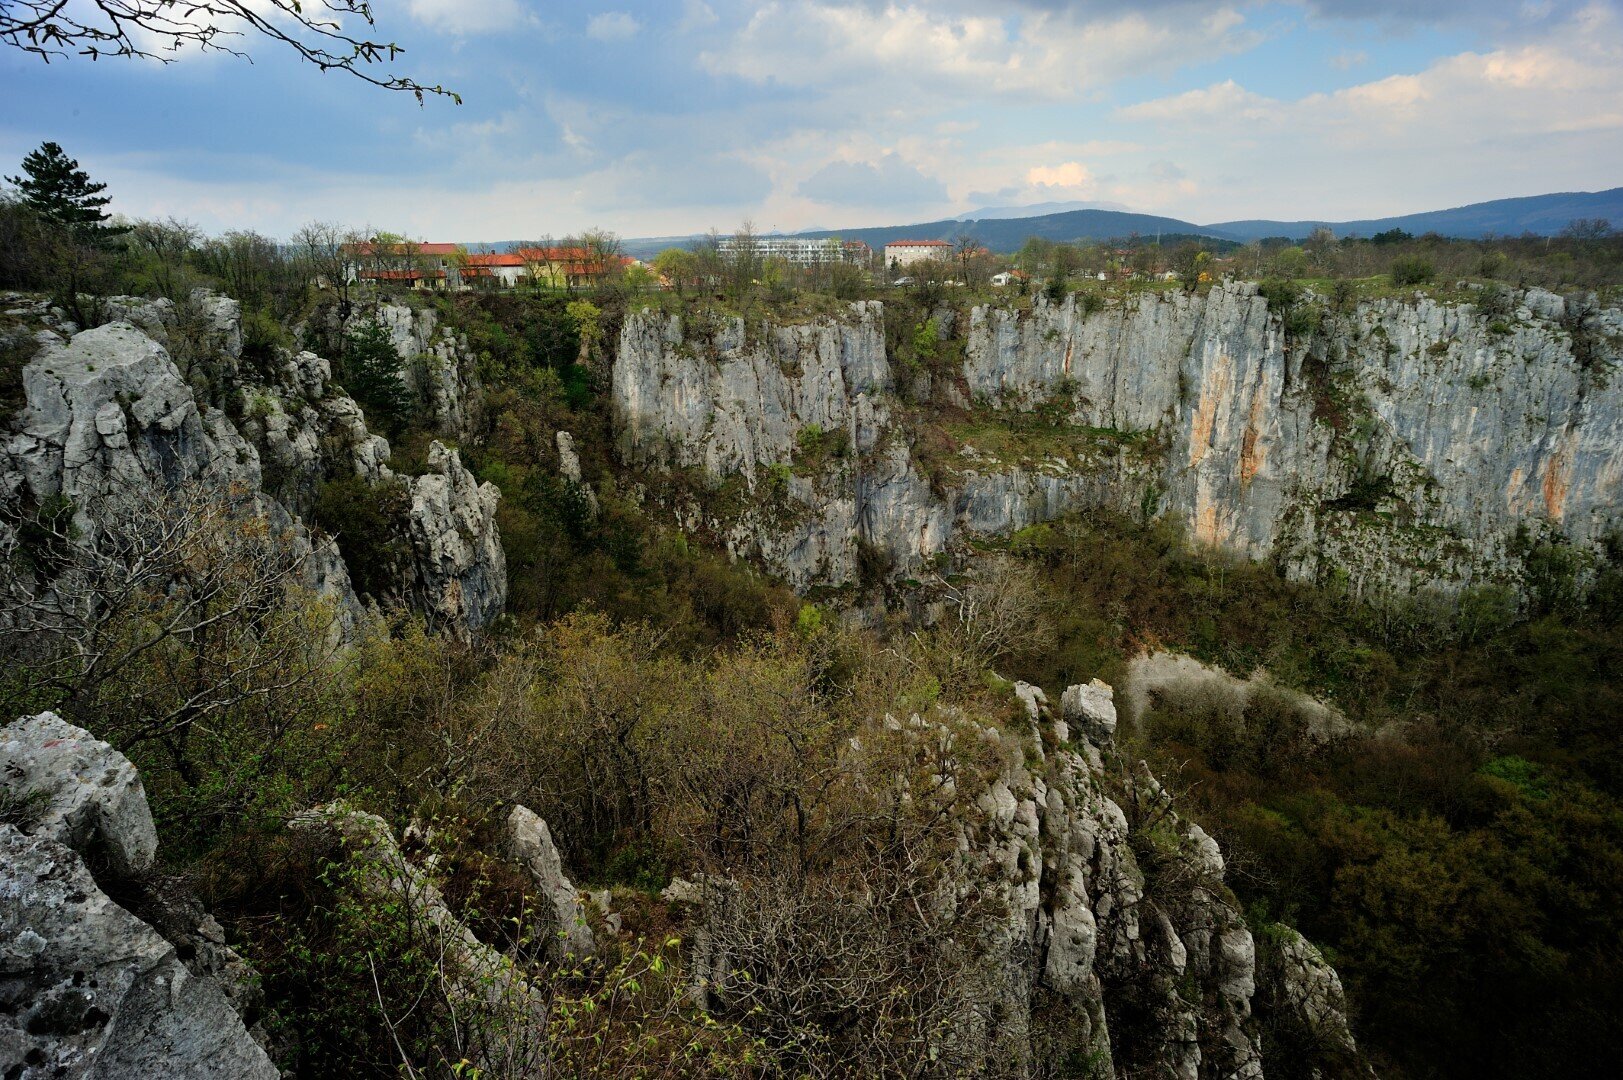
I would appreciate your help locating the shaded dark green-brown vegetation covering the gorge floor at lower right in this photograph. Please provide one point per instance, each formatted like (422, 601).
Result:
(1455, 852)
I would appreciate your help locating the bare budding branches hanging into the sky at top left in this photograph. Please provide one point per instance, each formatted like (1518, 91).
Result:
(158, 30)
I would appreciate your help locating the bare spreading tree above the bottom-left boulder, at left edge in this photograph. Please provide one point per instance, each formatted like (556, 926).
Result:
(155, 616)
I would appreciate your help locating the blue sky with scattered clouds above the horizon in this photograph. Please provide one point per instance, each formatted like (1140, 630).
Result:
(679, 116)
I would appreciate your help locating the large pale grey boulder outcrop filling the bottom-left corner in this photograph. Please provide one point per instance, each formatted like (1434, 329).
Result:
(87, 988)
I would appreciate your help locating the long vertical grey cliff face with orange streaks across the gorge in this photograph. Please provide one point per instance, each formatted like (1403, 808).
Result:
(1401, 443)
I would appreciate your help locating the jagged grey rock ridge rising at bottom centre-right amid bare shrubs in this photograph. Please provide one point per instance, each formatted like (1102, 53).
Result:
(1096, 920)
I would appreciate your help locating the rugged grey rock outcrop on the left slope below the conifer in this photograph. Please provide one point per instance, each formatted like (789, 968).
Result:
(110, 415)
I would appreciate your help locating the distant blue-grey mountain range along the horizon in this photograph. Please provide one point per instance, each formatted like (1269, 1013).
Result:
(999, 230)
